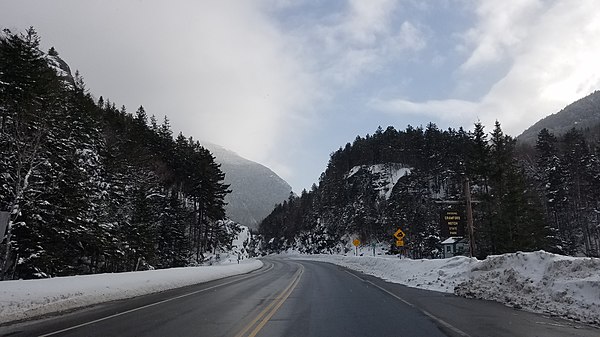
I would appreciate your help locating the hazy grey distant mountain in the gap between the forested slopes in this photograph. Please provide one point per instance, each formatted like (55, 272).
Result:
(255, 189)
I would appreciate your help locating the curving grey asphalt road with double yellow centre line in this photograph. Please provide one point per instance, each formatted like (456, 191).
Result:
(299, 298)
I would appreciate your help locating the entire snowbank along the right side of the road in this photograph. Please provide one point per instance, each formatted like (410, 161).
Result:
(538, 281)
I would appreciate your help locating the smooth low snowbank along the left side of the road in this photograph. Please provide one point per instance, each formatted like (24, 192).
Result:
(23, 299)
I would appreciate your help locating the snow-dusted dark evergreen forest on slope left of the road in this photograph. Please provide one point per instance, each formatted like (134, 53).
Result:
(90, 188)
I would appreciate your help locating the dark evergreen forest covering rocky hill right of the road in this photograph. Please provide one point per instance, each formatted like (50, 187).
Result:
(550, 202)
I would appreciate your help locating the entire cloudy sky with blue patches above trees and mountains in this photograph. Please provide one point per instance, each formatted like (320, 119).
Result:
(287, 82)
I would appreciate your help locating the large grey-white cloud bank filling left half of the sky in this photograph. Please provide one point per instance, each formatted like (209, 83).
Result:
(220, 70)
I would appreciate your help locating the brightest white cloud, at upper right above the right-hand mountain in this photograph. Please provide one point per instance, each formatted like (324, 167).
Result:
(552, 49)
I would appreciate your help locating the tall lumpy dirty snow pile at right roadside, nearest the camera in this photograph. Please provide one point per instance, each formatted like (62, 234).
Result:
(540, 282)
